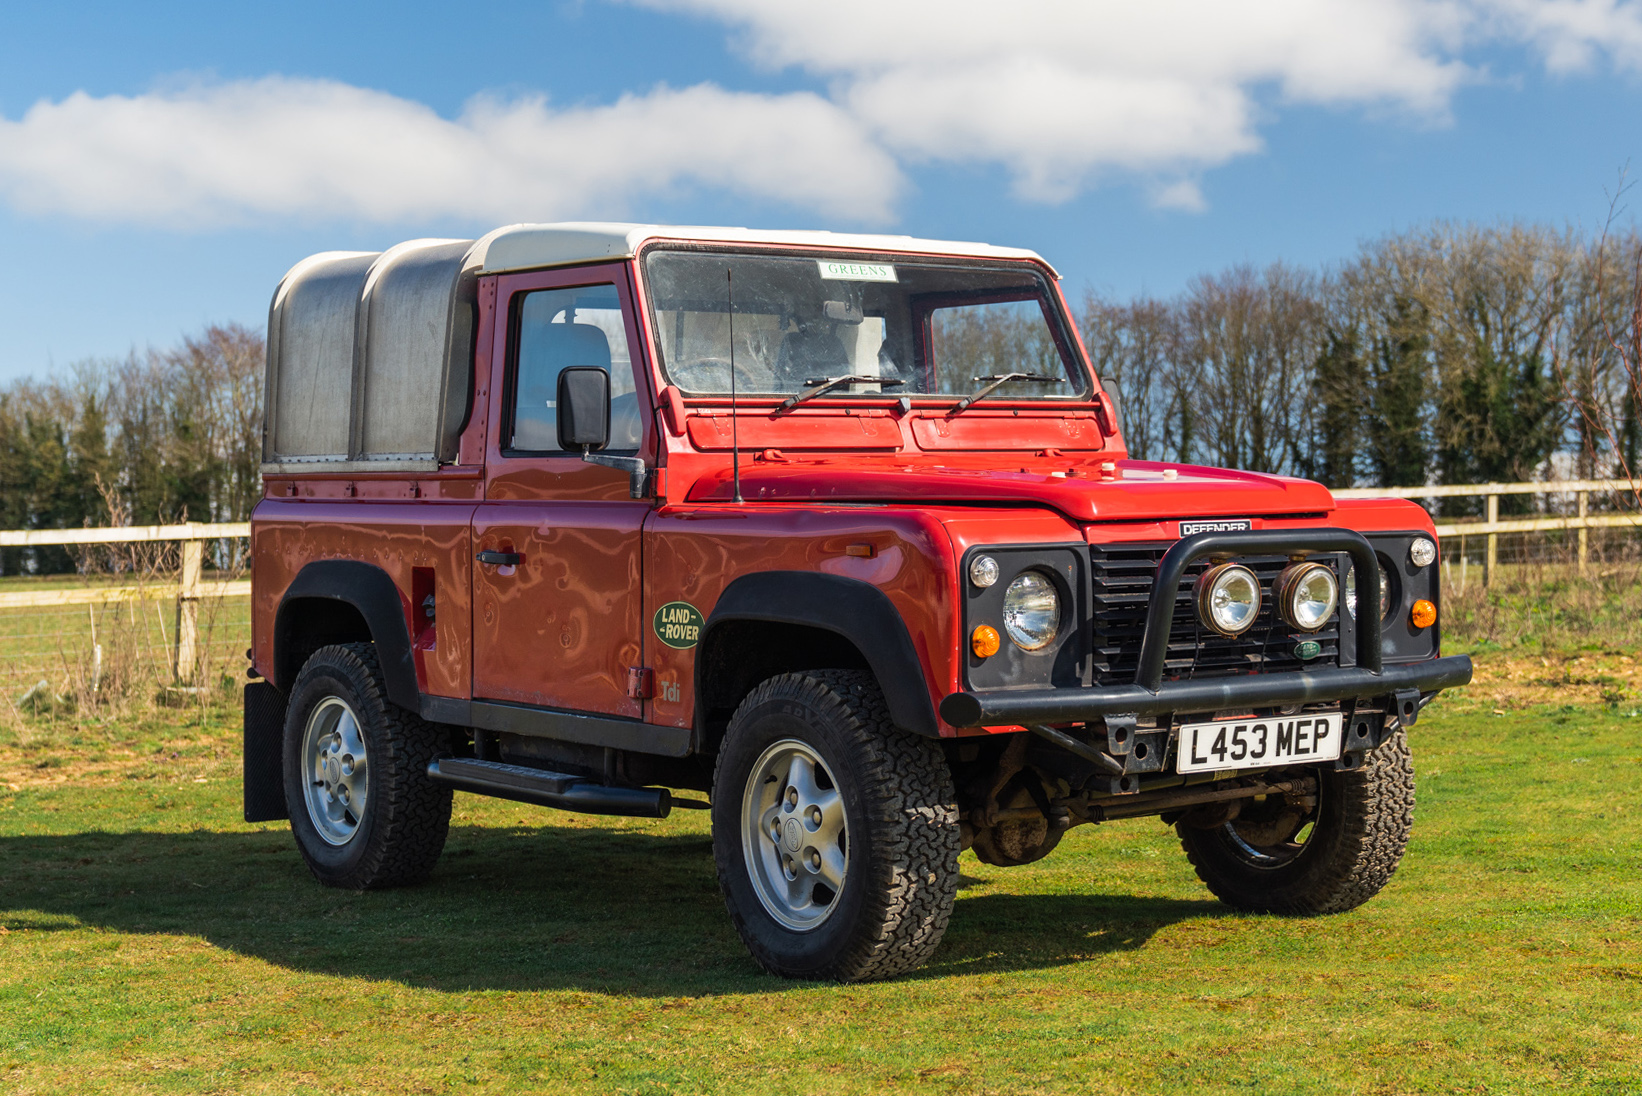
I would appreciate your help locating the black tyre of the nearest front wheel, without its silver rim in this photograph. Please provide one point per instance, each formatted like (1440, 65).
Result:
(901, 811)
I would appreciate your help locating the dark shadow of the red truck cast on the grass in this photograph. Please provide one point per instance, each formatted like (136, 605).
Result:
(523, 909)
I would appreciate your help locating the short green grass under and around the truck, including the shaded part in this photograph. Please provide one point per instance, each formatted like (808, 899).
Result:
(157, 944)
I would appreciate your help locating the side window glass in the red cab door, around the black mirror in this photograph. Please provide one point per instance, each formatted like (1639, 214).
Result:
(564, 328)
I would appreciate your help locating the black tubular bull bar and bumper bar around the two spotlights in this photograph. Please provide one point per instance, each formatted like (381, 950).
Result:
(1152, 696)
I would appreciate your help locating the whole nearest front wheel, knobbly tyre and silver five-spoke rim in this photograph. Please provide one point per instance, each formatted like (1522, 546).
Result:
(835, 832)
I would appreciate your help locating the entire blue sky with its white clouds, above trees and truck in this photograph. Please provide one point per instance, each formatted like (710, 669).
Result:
(1134, 152)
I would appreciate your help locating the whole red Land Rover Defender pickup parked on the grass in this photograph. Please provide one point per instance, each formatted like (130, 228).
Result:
(835, 530)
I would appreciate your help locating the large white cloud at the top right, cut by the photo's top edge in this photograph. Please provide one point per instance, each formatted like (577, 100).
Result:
(1068, 91)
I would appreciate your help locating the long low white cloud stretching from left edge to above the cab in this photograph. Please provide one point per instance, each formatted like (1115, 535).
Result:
(239, 152)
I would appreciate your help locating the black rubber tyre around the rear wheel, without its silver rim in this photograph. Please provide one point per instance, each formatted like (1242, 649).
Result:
(403, 827)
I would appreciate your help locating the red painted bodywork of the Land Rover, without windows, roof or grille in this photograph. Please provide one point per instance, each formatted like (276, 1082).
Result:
(574, 617)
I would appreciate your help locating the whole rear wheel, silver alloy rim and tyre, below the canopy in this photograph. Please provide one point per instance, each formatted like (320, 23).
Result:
(362, 808)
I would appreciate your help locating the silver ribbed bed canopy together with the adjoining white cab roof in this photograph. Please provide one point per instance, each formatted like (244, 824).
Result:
(370, 354)
